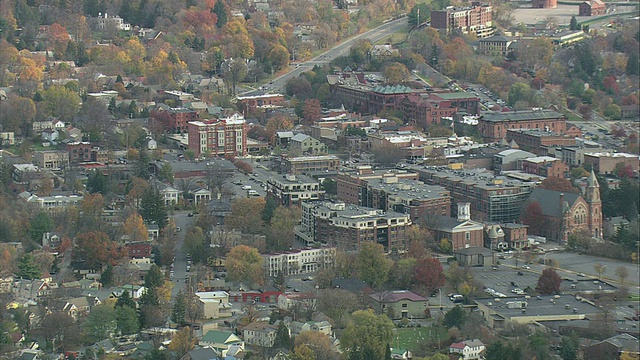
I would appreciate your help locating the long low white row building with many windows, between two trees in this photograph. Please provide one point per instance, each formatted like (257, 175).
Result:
(299, 261)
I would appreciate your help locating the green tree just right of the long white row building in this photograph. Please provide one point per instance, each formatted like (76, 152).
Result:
(373, 265)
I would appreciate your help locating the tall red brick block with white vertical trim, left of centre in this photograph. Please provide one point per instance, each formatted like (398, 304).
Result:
(221, 137)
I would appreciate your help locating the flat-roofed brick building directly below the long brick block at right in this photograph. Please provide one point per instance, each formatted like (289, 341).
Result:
(539, 141)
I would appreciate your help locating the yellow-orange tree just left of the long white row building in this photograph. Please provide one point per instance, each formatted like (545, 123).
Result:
(244, 264)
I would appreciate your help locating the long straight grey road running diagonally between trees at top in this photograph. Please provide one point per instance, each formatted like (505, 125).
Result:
(341, 49)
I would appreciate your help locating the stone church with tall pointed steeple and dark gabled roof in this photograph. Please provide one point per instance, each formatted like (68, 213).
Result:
(566, 213)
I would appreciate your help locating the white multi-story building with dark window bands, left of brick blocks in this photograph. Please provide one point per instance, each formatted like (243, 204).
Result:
(293, 189)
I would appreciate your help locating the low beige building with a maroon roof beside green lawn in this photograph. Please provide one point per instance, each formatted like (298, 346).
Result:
(400, 304)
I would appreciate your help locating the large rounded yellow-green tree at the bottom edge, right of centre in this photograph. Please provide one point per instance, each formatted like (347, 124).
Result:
(366, 335)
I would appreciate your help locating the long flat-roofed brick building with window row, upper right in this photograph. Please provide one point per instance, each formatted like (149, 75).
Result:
(493, 127)
